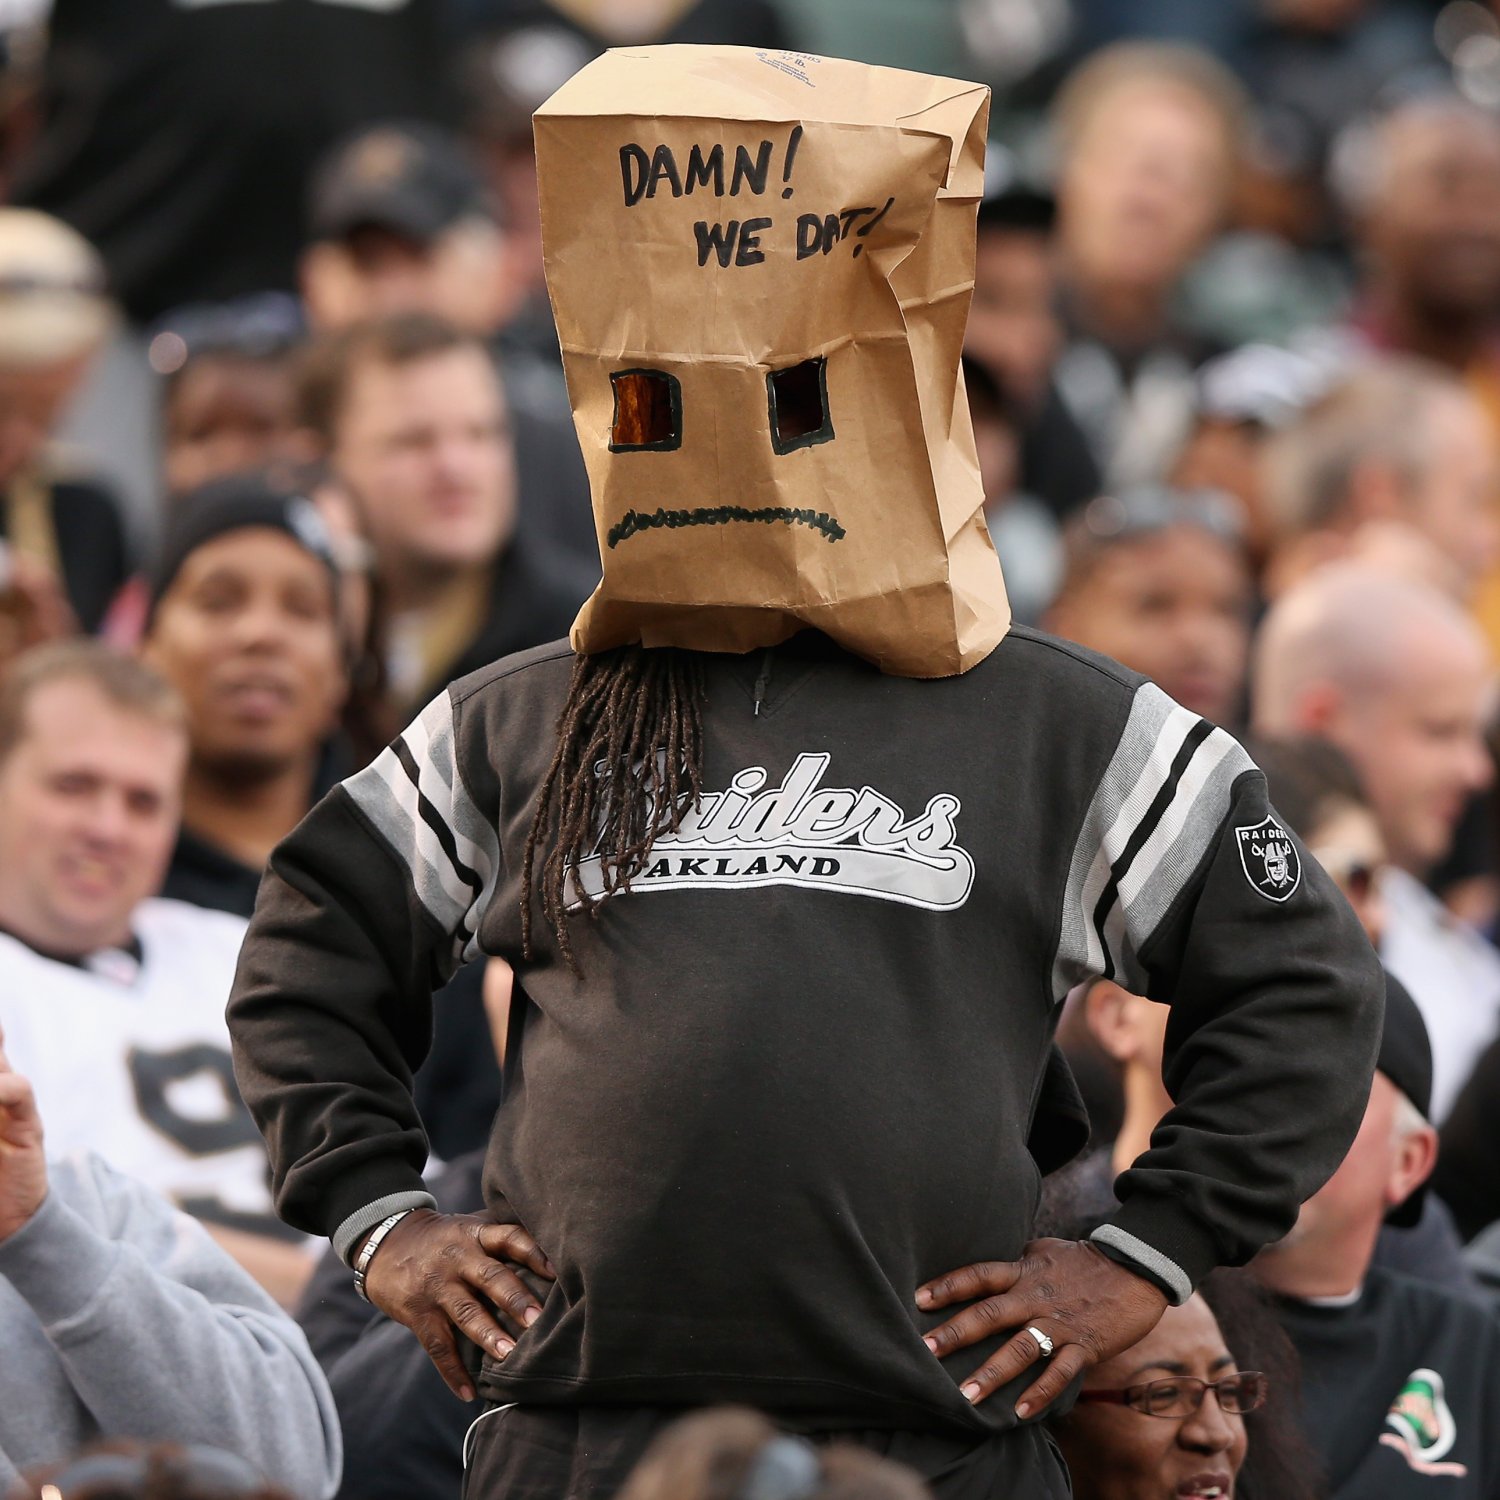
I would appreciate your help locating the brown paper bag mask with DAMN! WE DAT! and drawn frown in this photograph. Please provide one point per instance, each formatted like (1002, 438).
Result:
(761, 268)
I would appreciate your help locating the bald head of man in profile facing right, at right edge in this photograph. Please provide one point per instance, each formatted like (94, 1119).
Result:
(1394, 674)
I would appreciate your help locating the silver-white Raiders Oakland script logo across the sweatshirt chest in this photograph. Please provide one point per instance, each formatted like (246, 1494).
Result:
(803, 833)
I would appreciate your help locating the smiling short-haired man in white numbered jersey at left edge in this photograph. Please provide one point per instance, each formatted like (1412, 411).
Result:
(112, 1000)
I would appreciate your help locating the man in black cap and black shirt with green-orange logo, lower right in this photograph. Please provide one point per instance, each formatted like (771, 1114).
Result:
(1400, 1378)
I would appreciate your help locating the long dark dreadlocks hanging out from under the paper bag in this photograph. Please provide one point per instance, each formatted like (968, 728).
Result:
(628, 767)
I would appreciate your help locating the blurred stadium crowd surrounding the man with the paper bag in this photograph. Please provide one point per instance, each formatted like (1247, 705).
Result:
(286, 449)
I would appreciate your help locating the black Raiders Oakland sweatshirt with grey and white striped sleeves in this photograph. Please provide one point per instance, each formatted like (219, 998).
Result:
(797, 1076)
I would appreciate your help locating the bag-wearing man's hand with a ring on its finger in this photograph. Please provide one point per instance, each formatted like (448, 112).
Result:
(1088, 1306)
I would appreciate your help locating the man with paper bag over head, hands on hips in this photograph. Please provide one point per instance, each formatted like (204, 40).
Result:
(796, 853)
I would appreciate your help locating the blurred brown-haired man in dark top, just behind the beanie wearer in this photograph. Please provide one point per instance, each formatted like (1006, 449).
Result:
(415, 425)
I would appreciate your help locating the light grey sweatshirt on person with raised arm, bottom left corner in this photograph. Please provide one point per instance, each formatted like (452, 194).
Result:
(121, 1318)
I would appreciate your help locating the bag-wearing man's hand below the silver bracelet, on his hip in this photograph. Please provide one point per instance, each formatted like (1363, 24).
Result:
(439, 1273)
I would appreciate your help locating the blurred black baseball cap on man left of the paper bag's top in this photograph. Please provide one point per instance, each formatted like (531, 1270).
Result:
(412, 179)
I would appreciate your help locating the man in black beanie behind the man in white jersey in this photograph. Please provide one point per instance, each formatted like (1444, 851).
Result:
(245, 625)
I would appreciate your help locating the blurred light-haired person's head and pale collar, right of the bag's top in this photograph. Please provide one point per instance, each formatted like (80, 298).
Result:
(1148, 140)
